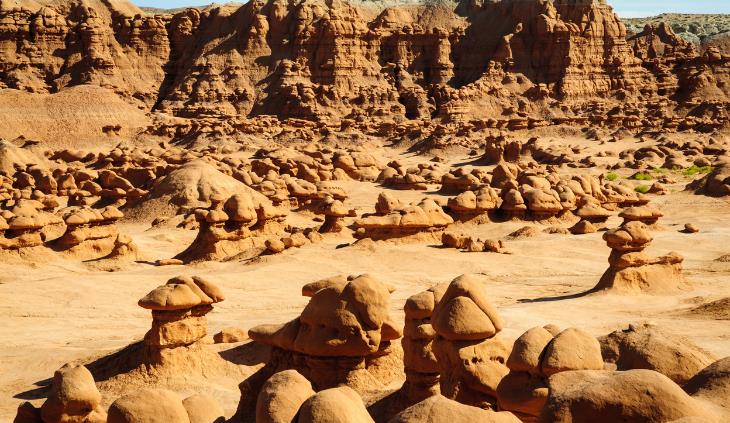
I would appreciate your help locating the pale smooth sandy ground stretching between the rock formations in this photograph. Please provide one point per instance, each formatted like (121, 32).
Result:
(59, 311)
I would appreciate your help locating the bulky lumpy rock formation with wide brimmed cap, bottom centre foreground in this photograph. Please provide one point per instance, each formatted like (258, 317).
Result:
(342, 337)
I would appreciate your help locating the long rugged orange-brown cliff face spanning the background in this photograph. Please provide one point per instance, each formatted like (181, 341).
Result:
(513, 63)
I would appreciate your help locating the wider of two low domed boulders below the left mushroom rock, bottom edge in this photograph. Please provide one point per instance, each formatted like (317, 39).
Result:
(148, 406)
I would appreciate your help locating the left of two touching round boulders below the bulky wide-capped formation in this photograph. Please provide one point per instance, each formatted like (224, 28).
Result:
(281, 397)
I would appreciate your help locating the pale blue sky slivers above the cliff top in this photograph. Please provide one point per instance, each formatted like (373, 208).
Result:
(625, 8)
